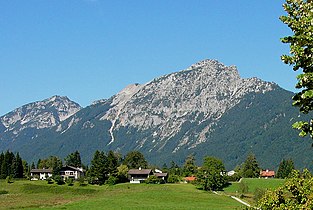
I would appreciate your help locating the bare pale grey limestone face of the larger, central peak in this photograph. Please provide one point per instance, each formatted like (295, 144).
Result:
(201, 93)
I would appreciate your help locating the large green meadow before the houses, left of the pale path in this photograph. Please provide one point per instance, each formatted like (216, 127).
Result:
(40, 195)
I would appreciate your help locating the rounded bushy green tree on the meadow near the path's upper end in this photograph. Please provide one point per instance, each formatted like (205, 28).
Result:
(210, 176)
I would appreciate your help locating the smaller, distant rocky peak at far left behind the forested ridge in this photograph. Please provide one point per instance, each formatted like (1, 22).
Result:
(31, 119)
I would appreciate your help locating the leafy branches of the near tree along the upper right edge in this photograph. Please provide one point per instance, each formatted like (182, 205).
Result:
(299, 19)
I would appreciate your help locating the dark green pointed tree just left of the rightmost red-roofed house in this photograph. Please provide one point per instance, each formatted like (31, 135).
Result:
(250, 168)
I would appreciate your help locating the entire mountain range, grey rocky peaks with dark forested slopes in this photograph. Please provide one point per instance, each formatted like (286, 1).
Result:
(206, 109)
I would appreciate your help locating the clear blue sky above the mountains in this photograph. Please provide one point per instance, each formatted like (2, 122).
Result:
(91, 49)
